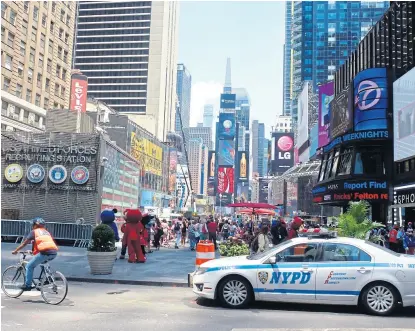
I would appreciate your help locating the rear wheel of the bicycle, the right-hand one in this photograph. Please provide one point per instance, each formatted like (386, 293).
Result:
(54, 288)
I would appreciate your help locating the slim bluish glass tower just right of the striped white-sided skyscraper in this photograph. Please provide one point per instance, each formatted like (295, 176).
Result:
(184, 91)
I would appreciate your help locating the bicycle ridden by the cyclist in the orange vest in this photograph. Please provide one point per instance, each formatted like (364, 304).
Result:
(47, 280)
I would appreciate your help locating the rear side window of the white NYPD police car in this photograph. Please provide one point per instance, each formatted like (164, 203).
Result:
(344, 253)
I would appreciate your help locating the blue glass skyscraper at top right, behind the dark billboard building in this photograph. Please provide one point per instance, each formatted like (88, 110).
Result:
(324, 33)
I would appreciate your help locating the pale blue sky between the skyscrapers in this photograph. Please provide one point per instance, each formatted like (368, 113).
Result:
(251, 33)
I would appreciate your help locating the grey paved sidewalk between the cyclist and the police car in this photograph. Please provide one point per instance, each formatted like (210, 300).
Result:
(166, 267)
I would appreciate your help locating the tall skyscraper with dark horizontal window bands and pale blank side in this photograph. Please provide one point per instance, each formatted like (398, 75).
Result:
(128, 51)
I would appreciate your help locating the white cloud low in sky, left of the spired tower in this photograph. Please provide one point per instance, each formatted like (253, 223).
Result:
(204, 93)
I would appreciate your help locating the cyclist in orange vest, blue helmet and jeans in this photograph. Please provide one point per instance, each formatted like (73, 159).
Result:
(44, 249)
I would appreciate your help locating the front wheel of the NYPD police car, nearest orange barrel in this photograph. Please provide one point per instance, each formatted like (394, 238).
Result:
(235, 292)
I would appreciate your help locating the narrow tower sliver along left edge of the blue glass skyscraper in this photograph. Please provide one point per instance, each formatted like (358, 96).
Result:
(287, 61)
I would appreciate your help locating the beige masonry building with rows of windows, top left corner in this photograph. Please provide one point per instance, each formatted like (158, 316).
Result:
(37, 43)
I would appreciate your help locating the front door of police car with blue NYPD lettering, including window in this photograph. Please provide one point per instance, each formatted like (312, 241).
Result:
(292, 278)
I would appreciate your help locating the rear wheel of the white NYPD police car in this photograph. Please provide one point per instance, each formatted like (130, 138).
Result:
(380, 299)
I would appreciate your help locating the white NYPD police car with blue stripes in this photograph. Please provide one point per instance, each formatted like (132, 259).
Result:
(340, 271)
